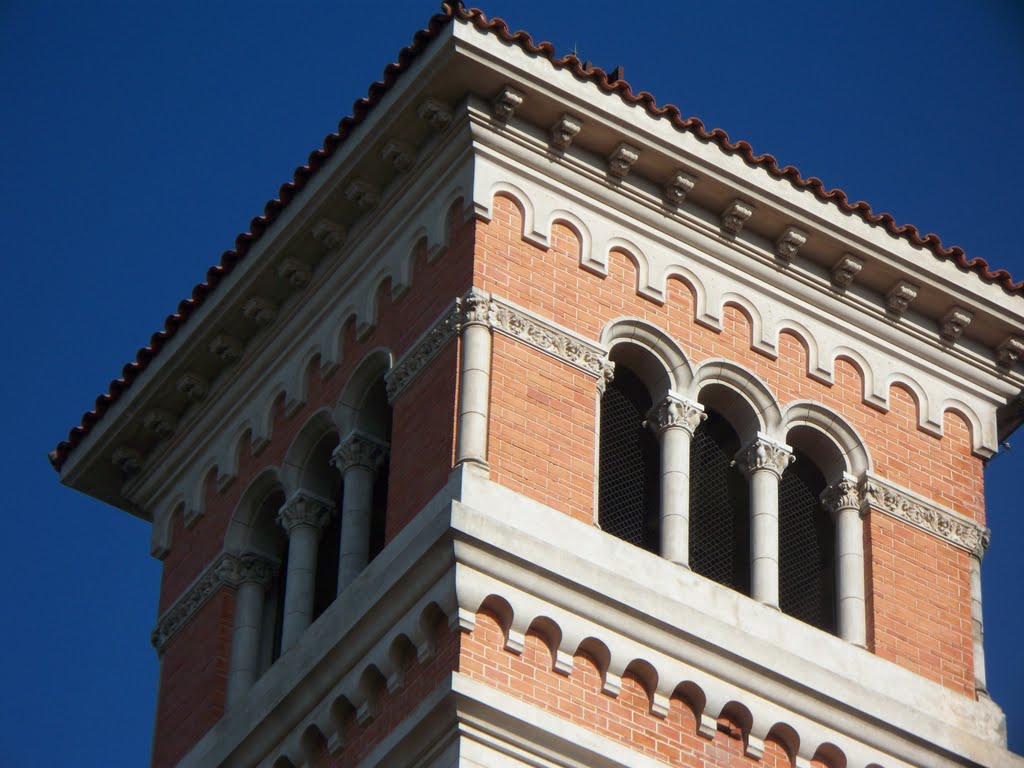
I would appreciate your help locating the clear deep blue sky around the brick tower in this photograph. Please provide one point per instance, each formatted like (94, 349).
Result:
(138, 143)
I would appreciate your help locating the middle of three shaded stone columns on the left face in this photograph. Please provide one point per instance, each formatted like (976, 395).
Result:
(305, 517)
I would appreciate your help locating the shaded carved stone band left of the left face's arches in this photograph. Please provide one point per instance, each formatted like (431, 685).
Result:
(227, 571)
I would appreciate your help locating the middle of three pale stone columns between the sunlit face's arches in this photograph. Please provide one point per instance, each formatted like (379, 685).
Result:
(763, 462)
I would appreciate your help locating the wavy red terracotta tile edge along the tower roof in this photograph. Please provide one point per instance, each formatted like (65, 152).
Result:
(610, 83)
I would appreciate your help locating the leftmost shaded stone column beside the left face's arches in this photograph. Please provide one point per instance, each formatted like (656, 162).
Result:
(254, 577)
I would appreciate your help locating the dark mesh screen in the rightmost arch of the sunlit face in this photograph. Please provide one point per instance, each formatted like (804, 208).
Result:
(806, 547)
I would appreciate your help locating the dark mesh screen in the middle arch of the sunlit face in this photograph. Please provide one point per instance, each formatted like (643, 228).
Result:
(719, 517)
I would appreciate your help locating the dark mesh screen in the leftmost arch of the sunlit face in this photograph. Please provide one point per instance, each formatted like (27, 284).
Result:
(628, 490)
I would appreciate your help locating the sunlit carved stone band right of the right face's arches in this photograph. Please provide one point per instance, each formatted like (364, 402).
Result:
(904, 505)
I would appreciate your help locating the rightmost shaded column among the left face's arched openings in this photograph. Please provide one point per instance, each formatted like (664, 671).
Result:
(358, 458)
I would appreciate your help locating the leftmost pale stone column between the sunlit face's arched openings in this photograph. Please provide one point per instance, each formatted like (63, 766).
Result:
(674, 420)
